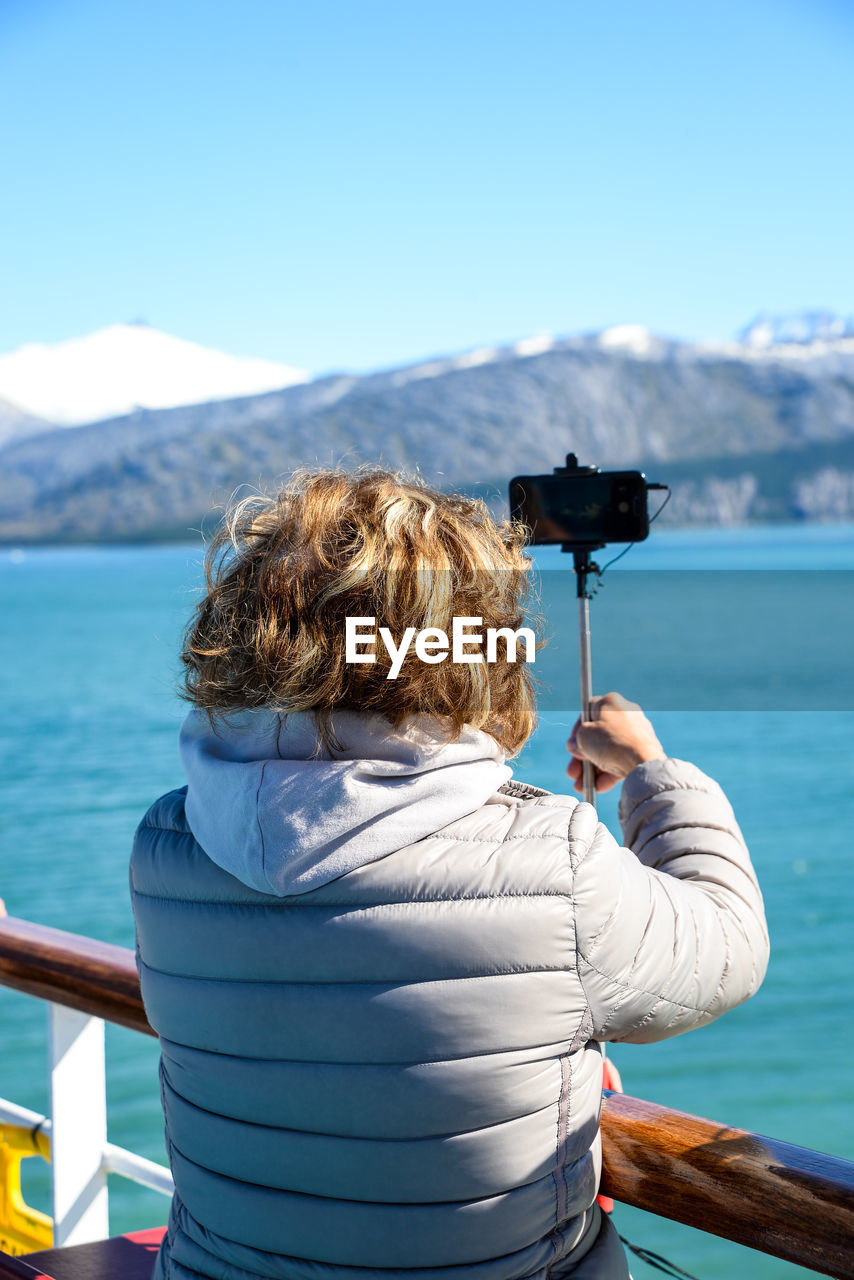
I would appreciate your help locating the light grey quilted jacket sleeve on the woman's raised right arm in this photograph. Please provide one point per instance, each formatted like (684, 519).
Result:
(670, 931)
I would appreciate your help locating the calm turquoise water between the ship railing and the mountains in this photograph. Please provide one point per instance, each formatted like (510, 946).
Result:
(88, 739)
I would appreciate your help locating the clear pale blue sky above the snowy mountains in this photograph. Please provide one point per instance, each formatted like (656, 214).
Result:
(359, 185)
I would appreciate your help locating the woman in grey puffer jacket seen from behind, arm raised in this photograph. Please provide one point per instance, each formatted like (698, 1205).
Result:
(380, 970)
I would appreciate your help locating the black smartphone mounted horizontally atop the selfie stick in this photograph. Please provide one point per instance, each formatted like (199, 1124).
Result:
(582, 508)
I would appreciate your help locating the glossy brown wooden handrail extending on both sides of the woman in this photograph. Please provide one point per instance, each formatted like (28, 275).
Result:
(787, 1201)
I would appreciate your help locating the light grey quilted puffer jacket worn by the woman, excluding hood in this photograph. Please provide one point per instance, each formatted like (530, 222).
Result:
(399, 1072)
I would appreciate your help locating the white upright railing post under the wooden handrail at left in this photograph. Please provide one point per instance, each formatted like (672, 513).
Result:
(79, 1131)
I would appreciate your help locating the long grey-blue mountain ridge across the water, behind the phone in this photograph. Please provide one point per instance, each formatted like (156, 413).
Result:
(465, 424)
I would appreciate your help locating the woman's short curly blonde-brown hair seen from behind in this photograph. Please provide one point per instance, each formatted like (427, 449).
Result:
(285, 573)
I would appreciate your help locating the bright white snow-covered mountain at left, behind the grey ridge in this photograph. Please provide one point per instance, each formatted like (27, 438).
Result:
(129, 367)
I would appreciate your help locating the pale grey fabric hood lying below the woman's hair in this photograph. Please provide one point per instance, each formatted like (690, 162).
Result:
(284, 820)
